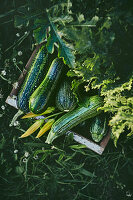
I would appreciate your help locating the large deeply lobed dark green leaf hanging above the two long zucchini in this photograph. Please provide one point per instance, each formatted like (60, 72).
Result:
(45, 26)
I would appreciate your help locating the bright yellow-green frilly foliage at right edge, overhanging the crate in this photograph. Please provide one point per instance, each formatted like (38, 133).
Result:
(121, 107)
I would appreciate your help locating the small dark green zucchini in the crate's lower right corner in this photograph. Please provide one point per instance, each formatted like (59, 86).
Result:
(98, 128)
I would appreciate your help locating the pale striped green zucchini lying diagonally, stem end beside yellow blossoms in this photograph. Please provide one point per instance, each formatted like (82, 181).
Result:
(75, 117)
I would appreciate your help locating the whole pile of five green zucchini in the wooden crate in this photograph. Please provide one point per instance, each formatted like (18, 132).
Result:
(45, 83)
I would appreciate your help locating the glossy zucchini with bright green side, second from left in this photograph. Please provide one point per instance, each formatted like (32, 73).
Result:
(40, 97)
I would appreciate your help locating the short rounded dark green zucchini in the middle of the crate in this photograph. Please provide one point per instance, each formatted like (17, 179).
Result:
(65, 99)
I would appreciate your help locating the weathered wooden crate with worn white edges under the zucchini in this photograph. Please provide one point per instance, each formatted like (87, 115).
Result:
(11, 100)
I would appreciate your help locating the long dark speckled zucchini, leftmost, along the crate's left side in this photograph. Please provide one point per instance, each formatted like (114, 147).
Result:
(33, 78)
